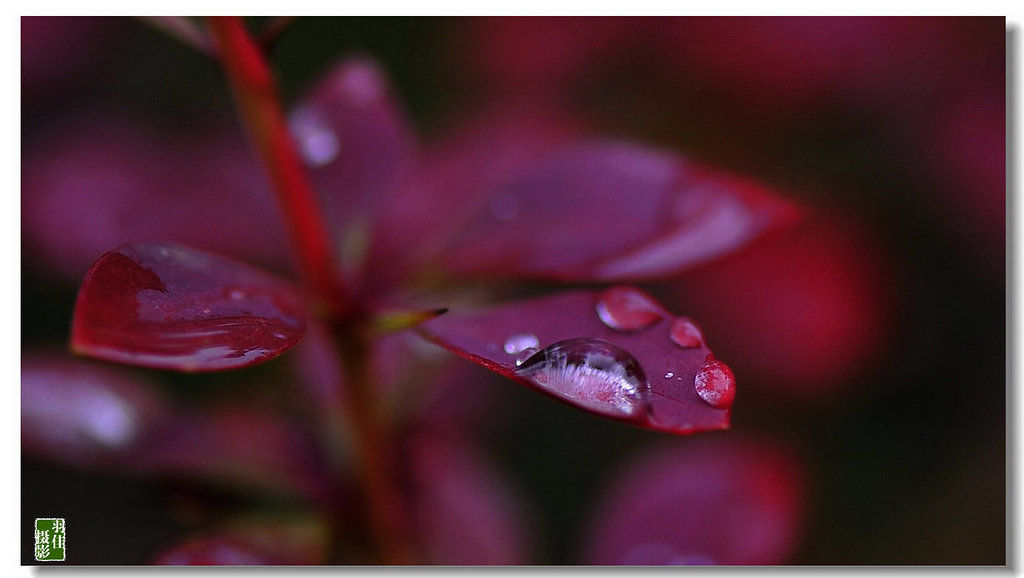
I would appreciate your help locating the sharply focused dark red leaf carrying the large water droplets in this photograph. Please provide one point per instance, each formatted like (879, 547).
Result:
(562, 347)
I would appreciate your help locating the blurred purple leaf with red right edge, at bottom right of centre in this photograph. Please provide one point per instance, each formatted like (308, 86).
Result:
(711, 501)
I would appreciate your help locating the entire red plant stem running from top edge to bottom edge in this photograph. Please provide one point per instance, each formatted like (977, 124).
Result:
(255, 93)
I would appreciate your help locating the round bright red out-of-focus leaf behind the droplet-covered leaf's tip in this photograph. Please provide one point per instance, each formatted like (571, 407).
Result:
(806, 312)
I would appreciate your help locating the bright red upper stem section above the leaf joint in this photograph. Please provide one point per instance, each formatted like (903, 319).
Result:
(263, 114)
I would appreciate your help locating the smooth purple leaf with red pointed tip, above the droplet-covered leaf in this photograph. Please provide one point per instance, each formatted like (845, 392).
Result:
(612, 212)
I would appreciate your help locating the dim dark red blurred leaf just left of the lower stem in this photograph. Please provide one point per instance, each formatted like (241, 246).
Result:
(240, 448)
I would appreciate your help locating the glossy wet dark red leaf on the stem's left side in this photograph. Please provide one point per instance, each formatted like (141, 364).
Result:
(175, 308)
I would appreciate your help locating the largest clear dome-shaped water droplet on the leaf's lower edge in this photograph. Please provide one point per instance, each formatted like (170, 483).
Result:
(593, 374)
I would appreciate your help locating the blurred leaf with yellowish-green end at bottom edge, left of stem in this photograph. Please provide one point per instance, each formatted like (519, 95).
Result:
(253, 541)
